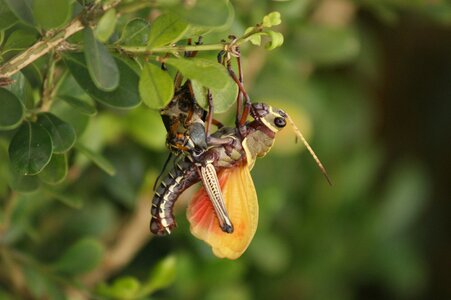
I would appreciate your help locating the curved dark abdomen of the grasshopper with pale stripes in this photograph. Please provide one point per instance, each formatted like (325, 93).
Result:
(181, 177)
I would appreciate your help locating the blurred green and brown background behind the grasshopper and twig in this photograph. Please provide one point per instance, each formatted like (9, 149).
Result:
(368, 82)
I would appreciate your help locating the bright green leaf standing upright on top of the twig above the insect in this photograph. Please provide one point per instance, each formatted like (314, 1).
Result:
(166, 29)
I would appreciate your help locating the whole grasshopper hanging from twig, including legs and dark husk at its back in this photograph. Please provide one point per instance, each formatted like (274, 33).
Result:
(224, 212)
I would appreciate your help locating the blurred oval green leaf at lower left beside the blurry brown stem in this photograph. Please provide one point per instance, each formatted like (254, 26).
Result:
(83, 256)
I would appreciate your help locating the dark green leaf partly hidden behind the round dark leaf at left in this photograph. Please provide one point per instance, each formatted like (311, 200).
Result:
(62, 133)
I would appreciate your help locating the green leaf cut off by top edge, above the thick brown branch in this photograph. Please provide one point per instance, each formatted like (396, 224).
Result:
(51, 13)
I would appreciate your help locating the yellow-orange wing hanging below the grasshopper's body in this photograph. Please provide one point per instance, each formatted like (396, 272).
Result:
(242, 206)
